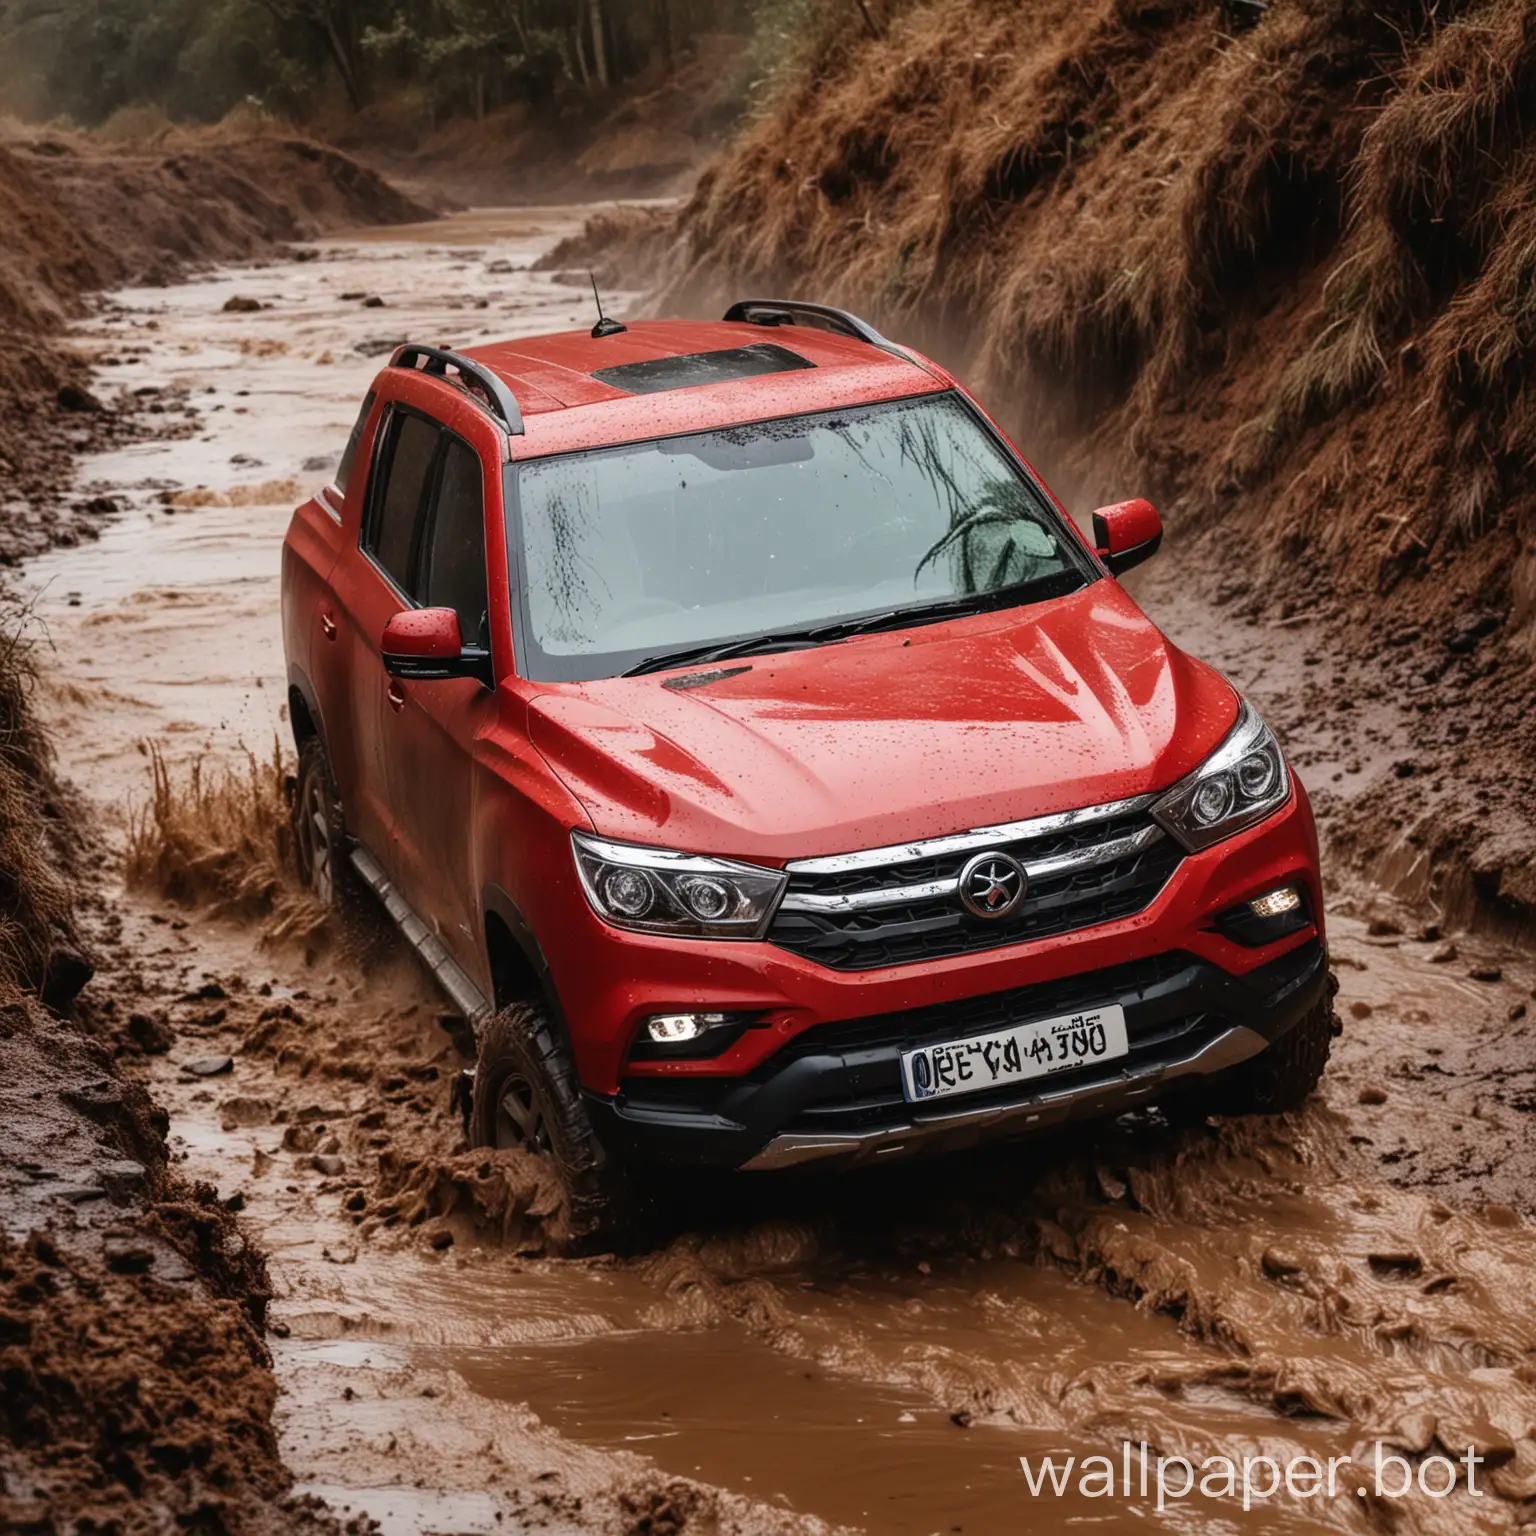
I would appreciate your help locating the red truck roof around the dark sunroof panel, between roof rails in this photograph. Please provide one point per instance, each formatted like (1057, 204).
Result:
(569, 405)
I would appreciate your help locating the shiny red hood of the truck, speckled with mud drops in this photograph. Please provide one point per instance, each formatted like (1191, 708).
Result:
(890, 738)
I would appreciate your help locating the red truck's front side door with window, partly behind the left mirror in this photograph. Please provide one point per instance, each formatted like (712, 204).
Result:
(432, 727)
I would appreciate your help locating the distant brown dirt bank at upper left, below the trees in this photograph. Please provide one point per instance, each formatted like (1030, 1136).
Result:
(78, 217)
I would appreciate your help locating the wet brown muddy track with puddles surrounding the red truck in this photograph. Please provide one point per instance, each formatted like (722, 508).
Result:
(872, 1356)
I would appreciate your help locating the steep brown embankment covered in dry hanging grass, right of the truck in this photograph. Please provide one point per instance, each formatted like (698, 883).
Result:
(1277, 276)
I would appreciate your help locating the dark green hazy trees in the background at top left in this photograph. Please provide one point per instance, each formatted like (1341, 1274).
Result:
(197, 59)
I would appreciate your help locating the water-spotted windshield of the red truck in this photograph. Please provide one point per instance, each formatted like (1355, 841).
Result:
(634, 554)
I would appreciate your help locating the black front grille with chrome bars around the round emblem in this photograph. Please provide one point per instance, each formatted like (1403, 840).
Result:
(1085, 869)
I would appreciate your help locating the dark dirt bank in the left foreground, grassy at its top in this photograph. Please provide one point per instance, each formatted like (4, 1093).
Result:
(134, 1383)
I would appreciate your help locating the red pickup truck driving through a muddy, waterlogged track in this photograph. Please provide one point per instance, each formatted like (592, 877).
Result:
(770, 770)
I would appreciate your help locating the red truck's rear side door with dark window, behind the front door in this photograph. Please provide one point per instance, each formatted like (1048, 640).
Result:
(372, 584)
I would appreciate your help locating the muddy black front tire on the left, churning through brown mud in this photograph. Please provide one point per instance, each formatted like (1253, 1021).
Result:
(528, 1097)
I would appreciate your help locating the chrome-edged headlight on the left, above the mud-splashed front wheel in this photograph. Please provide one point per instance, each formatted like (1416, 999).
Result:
(657, 892)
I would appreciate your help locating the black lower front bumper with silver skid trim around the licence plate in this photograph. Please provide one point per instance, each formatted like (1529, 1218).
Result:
(835, 1093)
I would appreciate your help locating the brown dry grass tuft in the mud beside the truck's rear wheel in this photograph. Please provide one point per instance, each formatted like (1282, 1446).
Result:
(222, 838)
